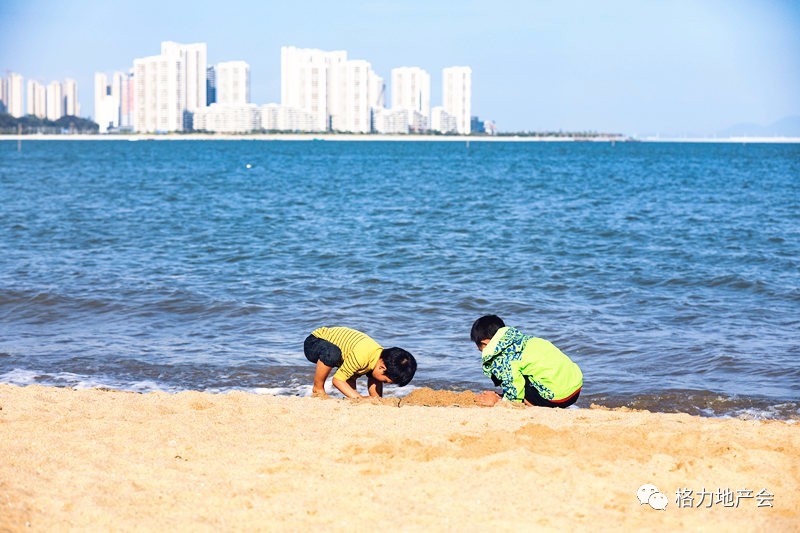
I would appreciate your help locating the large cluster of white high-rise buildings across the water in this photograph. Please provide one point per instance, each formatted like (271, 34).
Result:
(177, 90)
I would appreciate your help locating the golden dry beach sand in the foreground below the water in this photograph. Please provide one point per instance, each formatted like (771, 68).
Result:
(106, 460)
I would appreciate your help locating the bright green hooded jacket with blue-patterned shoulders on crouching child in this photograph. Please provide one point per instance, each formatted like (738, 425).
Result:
(512, 358)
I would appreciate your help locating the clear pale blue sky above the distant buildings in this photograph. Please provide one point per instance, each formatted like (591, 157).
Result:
(636, 67)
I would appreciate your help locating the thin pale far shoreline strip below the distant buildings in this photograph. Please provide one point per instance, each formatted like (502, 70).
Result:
(390, 138)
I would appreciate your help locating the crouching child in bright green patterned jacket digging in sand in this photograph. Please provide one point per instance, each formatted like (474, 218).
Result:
(529, 369)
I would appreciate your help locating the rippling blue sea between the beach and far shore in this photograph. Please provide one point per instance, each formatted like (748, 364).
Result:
(669, 272)
